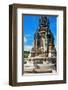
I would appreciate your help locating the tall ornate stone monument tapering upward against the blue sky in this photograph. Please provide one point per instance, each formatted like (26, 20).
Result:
(43, 40)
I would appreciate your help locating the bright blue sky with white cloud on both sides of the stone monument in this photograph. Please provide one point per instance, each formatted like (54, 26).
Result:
(31, 24)
